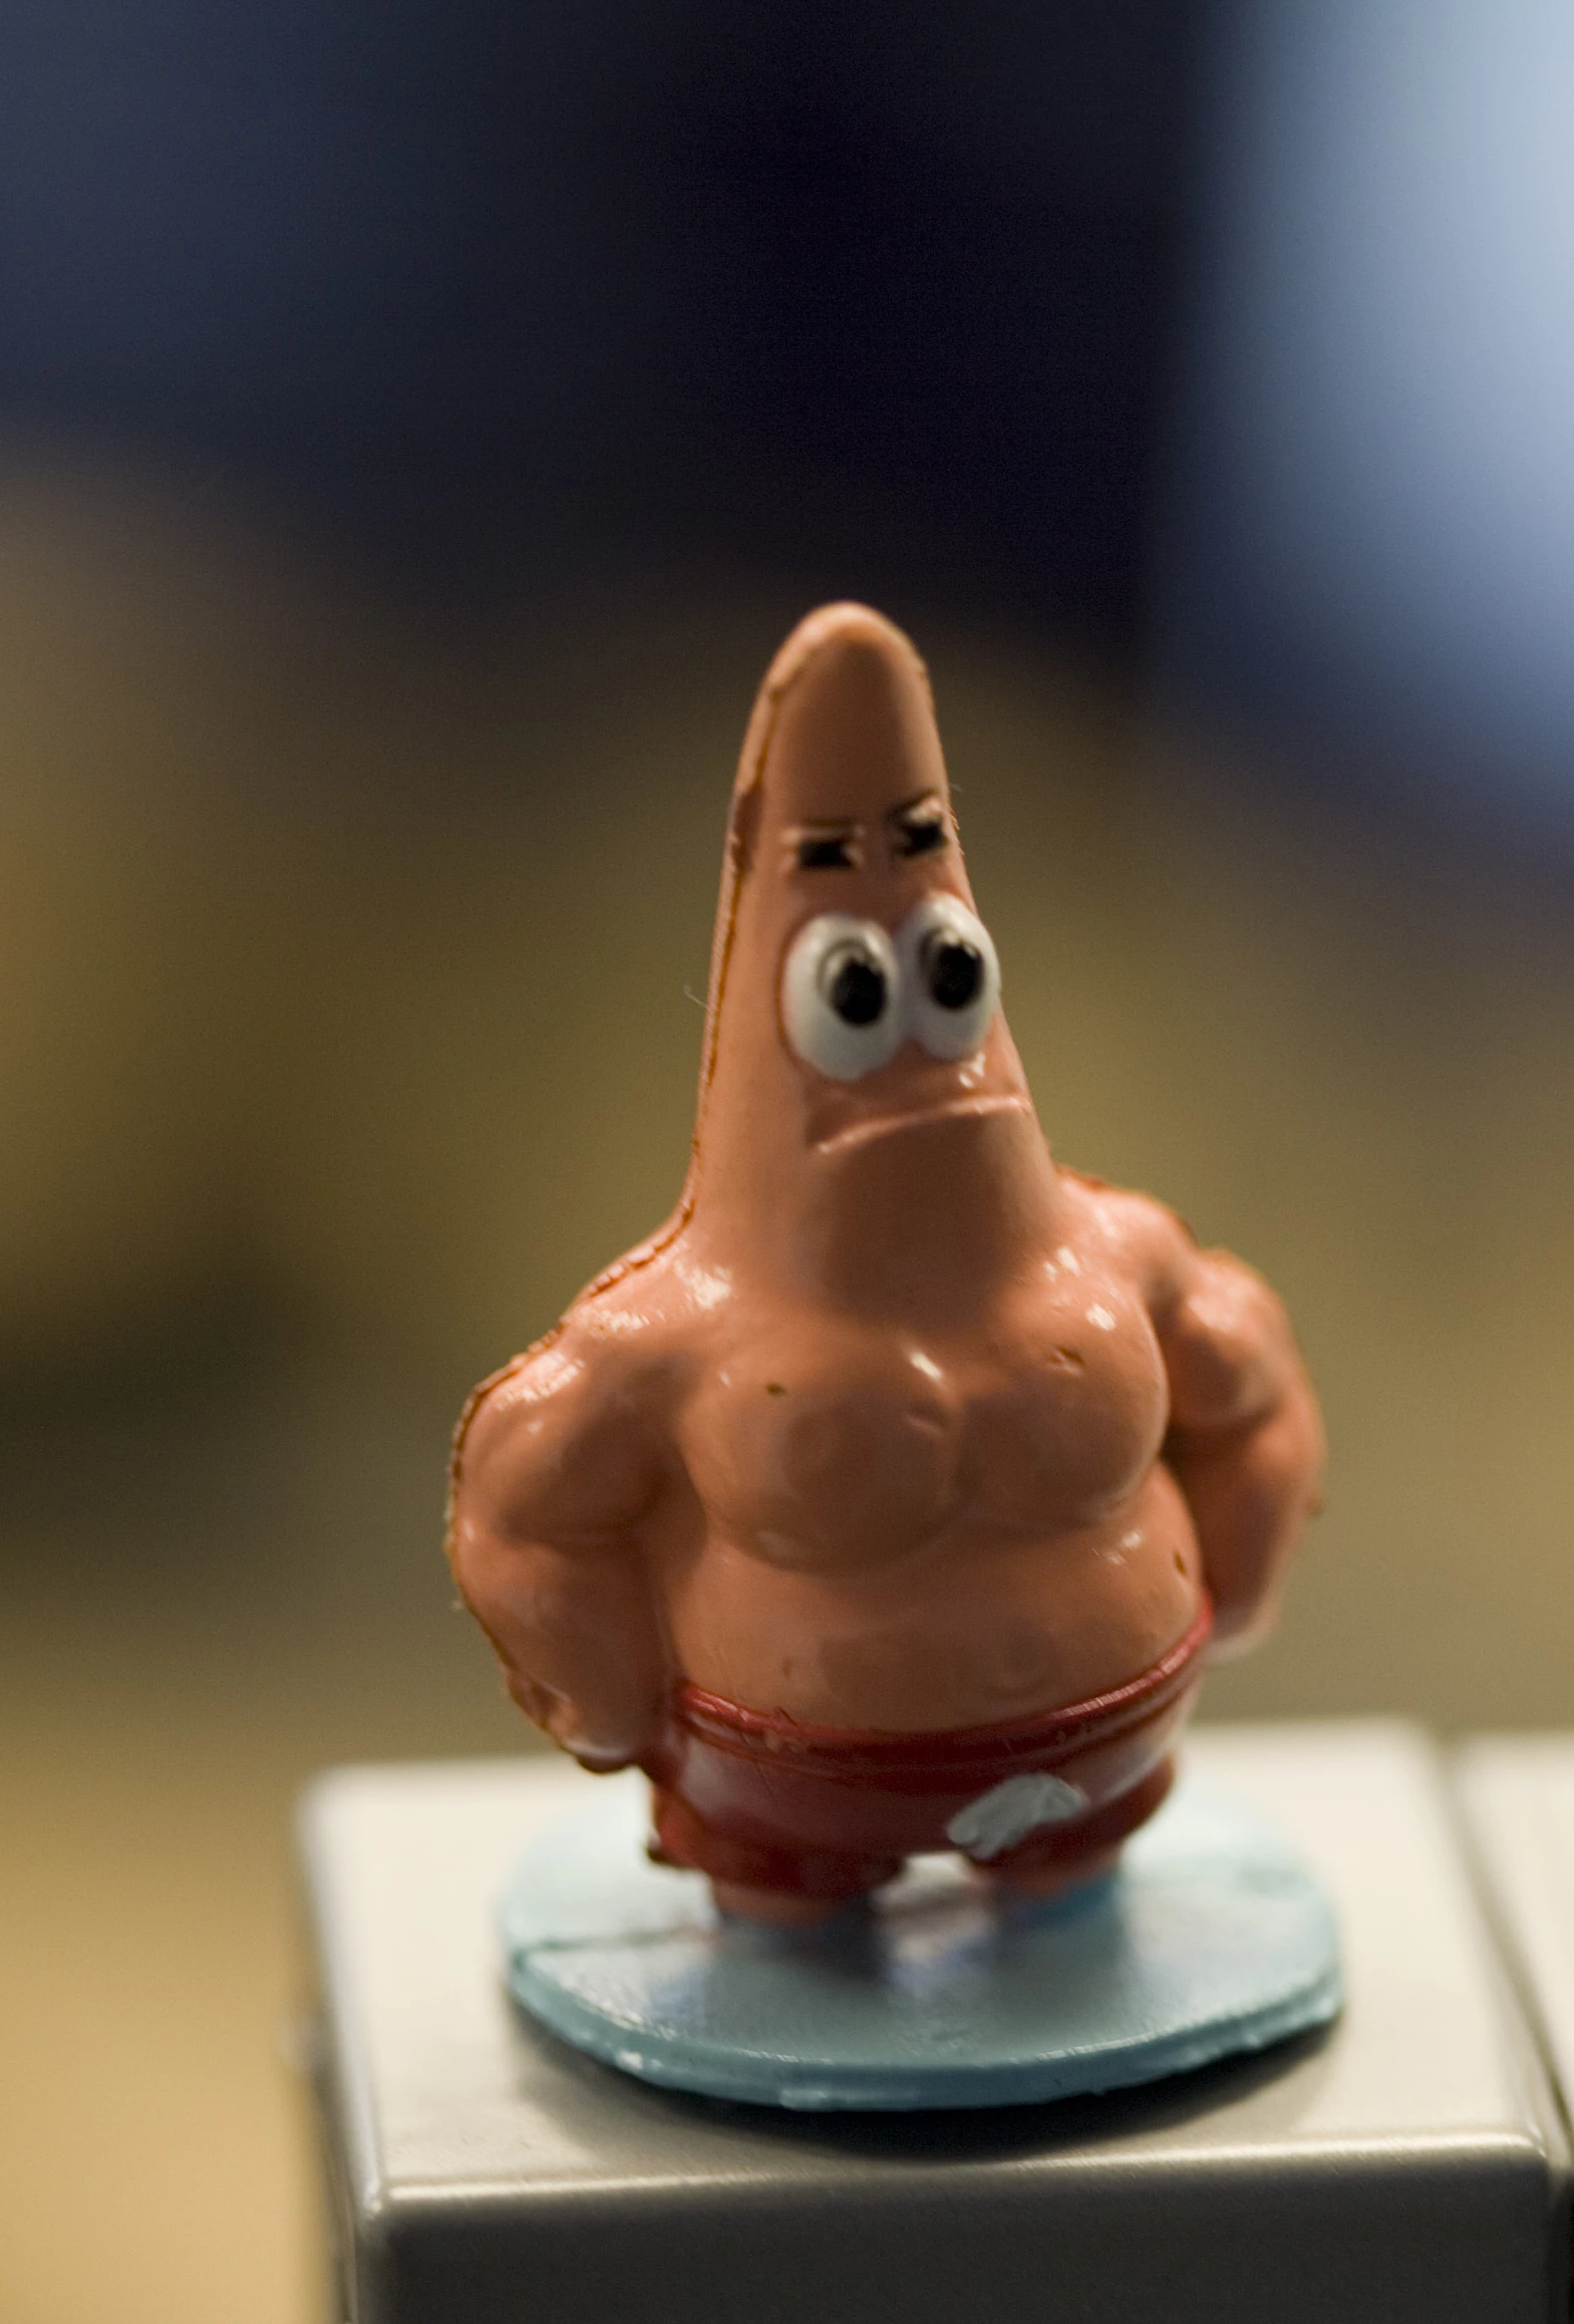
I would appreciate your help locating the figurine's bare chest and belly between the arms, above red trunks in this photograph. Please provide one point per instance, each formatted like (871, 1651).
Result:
(903, 1530)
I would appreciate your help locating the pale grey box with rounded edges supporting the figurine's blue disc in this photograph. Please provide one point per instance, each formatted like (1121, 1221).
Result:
(1405, 2169)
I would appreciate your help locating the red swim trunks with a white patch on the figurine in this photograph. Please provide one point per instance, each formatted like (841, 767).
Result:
(771, 1802)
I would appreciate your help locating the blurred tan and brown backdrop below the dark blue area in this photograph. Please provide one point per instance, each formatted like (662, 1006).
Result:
(350, 1024)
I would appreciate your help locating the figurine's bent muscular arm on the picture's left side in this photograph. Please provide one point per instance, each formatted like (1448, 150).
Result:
(557, 1465)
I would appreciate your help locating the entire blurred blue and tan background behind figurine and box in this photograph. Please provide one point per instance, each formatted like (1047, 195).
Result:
(417, 429)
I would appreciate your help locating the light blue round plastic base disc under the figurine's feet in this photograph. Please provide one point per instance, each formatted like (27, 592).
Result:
(1208, 1942)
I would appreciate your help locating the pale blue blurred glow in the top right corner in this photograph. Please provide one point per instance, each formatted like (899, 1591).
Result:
(1373, 538)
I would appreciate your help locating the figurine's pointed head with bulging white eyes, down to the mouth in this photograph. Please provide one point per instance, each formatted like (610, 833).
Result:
(854, 989)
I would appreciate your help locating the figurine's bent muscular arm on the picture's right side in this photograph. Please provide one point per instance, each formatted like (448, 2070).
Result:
(1245, 1435)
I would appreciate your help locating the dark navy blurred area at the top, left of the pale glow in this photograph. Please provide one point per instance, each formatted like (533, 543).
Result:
(873, 296)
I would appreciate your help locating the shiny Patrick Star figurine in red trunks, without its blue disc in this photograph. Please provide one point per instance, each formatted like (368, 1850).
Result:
(896, 1493)
